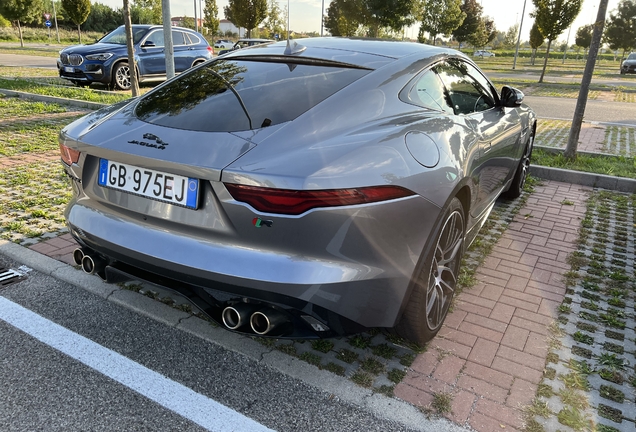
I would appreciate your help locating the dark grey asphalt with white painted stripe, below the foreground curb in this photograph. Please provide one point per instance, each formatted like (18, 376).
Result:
(72, 360)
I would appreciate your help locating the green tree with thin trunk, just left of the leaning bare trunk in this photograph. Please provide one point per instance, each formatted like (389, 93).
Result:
(553, 17)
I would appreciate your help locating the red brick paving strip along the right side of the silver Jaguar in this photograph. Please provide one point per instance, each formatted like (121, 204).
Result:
(497, 333)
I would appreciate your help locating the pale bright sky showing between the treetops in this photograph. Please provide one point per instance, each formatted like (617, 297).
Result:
(305, 15)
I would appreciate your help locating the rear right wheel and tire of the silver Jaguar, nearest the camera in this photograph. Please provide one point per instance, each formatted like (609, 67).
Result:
(436, 281)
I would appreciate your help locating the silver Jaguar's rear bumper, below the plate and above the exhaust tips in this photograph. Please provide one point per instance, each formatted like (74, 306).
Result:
(370, 294)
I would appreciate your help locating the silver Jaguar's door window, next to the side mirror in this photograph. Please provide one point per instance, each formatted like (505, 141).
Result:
(466, 94)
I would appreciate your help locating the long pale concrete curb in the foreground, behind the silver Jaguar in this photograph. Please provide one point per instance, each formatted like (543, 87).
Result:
(378, 405)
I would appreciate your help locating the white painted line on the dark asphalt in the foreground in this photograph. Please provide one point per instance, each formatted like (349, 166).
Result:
(167, 393)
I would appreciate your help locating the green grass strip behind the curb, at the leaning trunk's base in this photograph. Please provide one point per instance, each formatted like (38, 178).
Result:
(618, 166)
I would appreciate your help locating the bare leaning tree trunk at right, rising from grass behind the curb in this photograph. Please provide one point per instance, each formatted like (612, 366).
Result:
(579, 111)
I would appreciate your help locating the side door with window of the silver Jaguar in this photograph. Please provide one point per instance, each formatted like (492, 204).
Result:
(497, 129)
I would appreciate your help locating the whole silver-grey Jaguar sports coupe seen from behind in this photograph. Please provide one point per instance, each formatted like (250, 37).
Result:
(302, 190)
